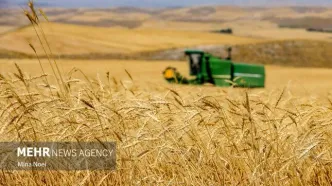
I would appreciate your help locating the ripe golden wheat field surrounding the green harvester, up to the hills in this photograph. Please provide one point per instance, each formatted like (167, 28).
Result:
(169, 134)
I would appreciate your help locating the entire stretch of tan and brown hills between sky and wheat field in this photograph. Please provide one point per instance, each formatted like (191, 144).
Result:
(260, 35)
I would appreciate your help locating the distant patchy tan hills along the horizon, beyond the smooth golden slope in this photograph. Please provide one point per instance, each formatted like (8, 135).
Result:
(269, 23)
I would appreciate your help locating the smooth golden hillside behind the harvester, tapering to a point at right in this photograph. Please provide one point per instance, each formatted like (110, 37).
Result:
(72, 39)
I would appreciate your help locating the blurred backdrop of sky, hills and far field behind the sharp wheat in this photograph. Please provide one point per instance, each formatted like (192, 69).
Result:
(292, 38)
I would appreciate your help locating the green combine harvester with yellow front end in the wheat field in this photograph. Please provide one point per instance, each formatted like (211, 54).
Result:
(217, 71)
